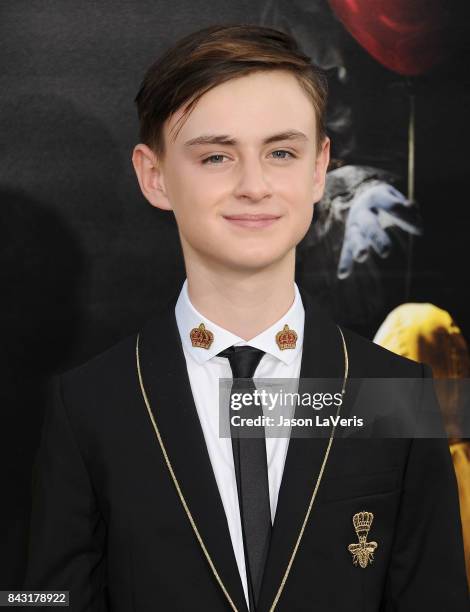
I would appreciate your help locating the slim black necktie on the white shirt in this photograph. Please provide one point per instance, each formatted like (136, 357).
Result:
(251, 470)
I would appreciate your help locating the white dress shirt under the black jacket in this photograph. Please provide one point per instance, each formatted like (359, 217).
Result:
(204, 370)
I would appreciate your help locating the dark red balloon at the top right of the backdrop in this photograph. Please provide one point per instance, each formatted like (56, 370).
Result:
(406, 36)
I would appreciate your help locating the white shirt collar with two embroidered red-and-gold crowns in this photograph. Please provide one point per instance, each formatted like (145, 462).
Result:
(187, 318)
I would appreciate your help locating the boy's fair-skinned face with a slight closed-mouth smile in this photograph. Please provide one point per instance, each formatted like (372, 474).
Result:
(221, 166)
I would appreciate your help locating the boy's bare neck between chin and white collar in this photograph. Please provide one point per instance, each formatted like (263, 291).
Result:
(241, 301)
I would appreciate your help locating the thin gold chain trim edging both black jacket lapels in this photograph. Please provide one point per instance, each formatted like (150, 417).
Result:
(186, 507)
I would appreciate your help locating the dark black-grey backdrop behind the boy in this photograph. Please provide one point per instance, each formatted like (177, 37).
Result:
(85, 259)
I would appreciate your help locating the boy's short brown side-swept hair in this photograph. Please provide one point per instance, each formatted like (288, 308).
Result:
(216, 54)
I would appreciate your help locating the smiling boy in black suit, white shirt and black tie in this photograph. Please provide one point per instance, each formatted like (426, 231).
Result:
(139, 503)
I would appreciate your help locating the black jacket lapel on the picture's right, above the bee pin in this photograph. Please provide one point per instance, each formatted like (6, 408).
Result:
(322, 357)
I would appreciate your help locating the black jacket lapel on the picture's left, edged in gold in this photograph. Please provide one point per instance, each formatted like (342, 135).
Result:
(167, 385)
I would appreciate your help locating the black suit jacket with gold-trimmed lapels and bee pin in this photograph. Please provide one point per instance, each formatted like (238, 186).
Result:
(108, 525)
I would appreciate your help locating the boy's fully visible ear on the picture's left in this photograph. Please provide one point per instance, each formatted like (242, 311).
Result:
(150, 176)
